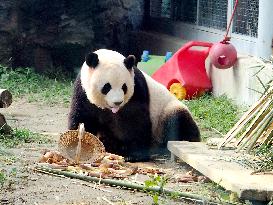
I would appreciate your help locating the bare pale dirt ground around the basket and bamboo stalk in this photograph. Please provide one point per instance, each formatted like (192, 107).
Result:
(30, 187)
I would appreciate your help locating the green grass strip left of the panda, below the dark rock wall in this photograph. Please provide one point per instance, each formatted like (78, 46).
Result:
(24, 82)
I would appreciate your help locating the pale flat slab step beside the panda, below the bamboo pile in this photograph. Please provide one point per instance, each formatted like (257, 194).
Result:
(220, 168)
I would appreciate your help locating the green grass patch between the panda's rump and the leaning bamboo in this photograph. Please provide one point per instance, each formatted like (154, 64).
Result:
(214, 113)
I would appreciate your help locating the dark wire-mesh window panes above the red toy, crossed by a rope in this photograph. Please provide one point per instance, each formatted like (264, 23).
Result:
(210, 13)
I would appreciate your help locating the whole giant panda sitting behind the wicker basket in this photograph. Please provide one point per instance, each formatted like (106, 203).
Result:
(132, 114)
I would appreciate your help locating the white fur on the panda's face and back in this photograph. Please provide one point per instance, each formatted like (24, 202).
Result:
(162, 102)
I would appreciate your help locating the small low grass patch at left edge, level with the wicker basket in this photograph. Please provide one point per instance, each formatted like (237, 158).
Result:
(20, 136)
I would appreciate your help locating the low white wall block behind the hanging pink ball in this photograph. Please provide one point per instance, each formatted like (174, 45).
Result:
(239, 82)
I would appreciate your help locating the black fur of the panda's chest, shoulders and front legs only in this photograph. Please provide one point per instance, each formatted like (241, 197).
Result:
(127, 132)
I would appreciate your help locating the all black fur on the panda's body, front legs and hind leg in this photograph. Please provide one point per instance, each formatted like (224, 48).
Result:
(129, 131)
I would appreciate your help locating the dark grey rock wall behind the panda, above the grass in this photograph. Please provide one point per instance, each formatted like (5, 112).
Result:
(46, 34)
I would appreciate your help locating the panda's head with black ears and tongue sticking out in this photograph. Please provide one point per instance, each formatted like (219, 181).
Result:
(107, 78)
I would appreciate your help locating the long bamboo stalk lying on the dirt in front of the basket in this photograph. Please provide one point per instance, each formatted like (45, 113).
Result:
(129, 185)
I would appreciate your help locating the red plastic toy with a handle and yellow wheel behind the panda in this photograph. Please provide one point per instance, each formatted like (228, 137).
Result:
(187, 67)
